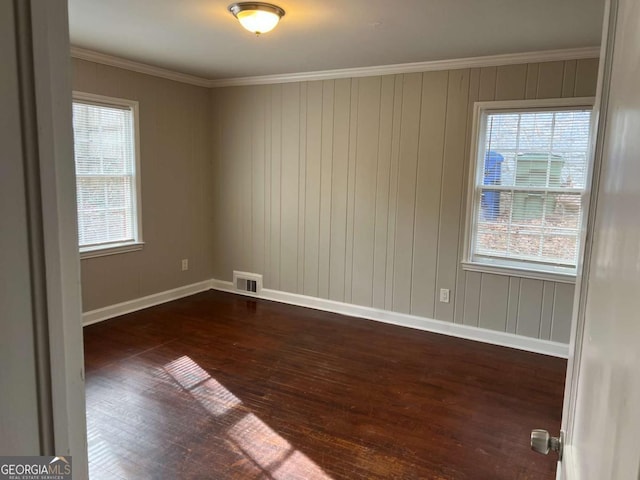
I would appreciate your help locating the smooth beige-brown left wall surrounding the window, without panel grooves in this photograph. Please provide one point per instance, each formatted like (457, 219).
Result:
(175, 150)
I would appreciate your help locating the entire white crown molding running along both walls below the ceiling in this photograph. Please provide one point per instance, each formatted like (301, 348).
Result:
(435, 65)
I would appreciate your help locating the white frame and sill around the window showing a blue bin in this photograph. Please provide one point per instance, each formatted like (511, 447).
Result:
(515, 267)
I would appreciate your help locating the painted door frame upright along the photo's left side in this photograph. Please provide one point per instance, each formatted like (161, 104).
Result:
(42, 37)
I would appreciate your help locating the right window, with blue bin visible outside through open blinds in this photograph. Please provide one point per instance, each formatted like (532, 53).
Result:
(528, 178)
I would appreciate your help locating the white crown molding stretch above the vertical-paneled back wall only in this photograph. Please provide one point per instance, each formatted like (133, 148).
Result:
(454, 64)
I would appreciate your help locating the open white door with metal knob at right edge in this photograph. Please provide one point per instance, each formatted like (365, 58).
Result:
(602, 409)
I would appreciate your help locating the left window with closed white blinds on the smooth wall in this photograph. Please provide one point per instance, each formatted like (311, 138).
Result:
(107, 174)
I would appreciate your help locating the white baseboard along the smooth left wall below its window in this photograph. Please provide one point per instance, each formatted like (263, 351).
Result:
(101, 314)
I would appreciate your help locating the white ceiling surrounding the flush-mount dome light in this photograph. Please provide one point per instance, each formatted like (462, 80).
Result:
(202, 38)
